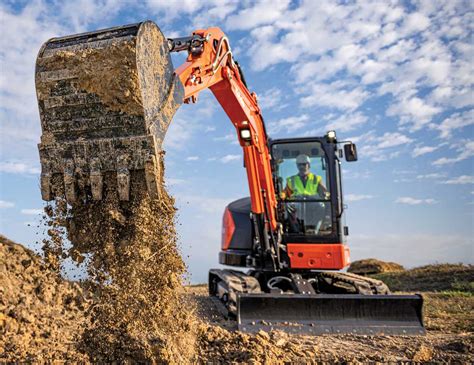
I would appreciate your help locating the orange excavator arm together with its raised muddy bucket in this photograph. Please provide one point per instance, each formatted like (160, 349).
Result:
(106, 99)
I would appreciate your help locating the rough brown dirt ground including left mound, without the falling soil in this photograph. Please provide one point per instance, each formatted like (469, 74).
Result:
(42, 317)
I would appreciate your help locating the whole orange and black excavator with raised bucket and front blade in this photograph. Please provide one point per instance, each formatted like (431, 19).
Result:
(106, 99)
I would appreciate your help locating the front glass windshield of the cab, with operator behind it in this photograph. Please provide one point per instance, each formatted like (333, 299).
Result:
(303, 188)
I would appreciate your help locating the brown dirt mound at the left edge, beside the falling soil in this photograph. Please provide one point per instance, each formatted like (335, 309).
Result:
(40, 313)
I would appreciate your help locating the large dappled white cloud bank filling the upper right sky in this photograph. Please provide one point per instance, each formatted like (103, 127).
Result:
(384, 48)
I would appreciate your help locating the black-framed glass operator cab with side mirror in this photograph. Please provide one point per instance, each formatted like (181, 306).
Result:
(310, 205)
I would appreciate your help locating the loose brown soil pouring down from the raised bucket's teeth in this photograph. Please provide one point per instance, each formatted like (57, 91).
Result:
(135, 274)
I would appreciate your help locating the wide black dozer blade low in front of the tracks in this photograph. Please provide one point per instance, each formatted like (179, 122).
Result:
(331, 314)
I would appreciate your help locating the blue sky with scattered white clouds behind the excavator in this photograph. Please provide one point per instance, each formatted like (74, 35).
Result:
(396, 77)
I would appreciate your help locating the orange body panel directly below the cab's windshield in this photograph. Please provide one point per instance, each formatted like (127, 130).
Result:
(333, 256)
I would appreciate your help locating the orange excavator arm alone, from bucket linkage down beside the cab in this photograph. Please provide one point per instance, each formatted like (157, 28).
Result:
(210, 65)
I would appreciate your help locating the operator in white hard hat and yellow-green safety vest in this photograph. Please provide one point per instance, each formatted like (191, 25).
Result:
(305, 183)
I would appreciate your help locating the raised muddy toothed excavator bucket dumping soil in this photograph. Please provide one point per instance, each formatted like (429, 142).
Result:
(106, 99)
